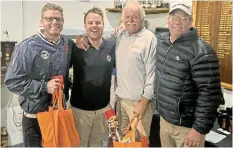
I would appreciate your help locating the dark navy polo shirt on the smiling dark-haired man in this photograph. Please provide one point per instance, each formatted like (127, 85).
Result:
(92, 70)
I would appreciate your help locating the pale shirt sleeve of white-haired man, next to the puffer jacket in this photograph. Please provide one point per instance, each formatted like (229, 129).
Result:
(149, 61)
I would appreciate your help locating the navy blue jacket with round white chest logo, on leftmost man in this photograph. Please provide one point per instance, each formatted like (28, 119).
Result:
(33, 63)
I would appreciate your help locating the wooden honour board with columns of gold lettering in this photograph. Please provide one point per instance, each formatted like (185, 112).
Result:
(213, 20)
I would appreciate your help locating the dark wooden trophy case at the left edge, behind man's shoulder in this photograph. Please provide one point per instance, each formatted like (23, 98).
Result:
(7, 48)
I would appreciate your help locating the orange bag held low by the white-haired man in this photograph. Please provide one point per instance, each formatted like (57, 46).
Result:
(129, 139)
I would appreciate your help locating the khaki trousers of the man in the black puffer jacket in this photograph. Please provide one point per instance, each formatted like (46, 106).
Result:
(173, 135)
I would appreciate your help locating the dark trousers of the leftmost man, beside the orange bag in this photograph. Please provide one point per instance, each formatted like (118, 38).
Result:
(31, 132)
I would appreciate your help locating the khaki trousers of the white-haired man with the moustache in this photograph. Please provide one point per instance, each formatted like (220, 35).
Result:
(125, 114)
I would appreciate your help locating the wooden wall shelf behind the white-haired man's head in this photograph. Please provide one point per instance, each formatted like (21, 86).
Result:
(147, 10)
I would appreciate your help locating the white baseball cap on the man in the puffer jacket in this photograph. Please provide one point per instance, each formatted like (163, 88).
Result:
(185, 7)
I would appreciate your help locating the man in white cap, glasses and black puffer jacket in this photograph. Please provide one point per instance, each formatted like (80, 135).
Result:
(188, 89)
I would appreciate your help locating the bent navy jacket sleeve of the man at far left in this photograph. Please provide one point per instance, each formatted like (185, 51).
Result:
(17, 77)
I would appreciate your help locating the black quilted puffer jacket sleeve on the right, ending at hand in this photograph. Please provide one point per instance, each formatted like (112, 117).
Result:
(205, 73)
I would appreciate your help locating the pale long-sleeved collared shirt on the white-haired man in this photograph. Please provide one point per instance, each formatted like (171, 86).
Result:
(135, 65)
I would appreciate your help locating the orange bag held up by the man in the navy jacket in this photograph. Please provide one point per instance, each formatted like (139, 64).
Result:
(57, 124)
